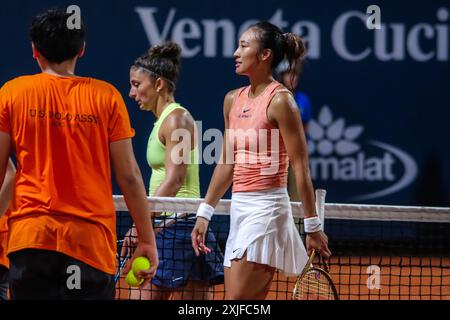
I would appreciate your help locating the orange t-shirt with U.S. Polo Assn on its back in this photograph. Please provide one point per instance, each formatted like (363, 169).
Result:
(60, 130)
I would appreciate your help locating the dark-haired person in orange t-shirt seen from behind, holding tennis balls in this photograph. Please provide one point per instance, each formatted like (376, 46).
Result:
(67, 132)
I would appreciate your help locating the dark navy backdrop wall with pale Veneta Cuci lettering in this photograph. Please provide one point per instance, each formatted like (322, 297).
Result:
(384, 118)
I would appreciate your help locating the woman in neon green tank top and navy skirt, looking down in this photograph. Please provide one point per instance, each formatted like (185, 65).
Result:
(181, 274)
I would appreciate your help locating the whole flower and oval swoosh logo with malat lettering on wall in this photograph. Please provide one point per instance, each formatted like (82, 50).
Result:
(335, 156)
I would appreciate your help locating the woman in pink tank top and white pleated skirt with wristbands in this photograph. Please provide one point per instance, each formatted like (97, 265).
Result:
(263, 133)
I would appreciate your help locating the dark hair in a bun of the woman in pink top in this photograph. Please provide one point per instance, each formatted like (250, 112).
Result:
(287, 46)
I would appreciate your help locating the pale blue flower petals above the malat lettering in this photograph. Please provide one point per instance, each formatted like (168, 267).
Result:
(328, 136)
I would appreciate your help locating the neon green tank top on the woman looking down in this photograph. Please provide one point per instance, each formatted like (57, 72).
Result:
(156, 158)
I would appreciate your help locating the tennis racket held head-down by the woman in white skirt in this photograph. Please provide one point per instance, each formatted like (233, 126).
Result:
(315, 283)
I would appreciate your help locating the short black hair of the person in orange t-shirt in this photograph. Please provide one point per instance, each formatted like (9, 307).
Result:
(53, 39)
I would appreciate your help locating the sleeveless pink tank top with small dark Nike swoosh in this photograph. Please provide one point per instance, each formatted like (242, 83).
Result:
(260, 157)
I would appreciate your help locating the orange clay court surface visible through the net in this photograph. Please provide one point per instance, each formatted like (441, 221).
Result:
(401, 278)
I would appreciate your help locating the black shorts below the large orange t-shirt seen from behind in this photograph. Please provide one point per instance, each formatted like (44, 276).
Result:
(49, 275)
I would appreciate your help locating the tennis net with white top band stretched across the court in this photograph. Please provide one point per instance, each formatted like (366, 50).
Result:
(379, 252)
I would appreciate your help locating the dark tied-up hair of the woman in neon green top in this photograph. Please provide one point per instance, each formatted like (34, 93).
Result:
(162, 61)
